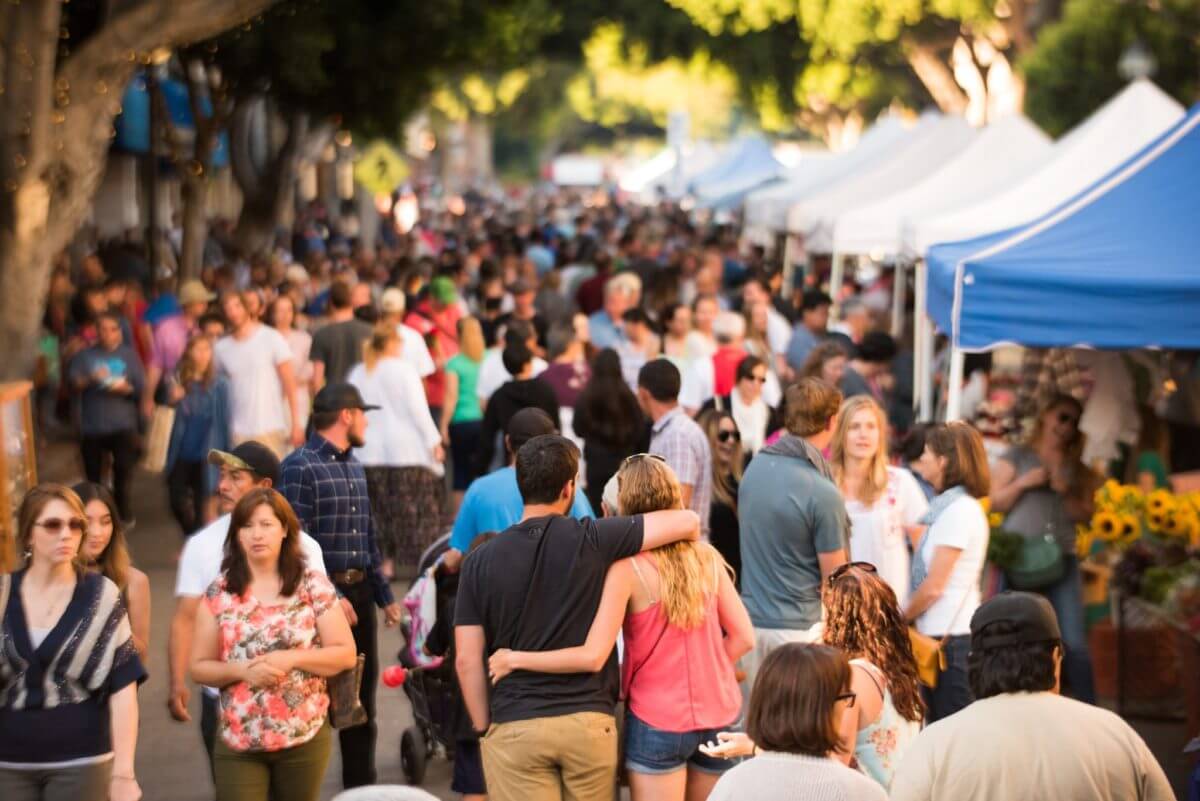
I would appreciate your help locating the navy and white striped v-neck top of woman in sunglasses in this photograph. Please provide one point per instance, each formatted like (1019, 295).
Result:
(55, 697)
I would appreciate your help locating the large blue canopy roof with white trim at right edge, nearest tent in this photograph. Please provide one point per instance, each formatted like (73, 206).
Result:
(1115, 267)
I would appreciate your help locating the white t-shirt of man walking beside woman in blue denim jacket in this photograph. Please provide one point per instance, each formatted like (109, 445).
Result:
(256, 400)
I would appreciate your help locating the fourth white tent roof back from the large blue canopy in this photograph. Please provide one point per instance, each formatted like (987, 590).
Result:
(767, 208)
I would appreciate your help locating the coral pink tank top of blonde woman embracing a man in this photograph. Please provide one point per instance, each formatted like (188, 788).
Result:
(679, 679)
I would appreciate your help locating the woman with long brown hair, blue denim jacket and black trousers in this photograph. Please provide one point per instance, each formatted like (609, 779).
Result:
(201, 398)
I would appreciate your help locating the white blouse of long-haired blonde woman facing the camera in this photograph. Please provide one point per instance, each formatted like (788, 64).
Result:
(878, 532)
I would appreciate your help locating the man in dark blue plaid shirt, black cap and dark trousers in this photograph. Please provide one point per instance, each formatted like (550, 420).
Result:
(328, 490)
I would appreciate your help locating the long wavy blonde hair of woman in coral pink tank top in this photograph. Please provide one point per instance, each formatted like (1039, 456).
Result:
(686, 569)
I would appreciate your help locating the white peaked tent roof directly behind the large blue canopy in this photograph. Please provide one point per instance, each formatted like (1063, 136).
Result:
(1117, 131)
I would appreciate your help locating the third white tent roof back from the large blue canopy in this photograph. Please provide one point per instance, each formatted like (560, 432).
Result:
(938, 140)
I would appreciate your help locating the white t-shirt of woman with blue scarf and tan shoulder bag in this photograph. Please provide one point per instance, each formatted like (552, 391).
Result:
(963, 526)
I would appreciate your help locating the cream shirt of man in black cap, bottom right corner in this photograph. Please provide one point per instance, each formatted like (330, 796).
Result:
(1028, 748)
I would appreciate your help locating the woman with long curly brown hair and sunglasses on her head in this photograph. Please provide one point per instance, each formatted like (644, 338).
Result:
(863, 619)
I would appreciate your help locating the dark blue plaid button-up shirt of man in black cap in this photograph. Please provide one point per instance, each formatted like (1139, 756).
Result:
(328, 491)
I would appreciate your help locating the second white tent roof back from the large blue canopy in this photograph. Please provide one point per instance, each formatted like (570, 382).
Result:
(1007, 149)
